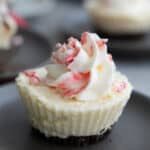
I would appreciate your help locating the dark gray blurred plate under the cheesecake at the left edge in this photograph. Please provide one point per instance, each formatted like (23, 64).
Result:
(34, 51)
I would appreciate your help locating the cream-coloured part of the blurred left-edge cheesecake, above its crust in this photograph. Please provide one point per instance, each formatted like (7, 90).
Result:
(8, 27)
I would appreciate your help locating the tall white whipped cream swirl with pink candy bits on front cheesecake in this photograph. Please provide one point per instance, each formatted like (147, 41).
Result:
(82, 70)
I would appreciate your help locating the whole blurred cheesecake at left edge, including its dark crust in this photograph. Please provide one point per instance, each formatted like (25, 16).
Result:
(9, 40)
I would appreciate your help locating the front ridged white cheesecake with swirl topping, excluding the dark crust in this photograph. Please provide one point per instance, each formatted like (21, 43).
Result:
(80, 94)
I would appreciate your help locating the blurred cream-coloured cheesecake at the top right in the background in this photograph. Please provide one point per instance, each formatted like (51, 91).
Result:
(120, 16)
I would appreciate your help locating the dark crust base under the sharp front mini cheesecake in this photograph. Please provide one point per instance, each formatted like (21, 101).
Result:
(72, 140)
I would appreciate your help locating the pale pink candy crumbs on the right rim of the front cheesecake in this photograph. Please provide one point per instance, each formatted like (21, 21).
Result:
(119, 87)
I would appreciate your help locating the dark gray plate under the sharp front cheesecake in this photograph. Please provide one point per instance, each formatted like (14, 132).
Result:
(130, 133)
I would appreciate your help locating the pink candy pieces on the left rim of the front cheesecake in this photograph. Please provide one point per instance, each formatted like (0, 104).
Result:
(33, 78)
